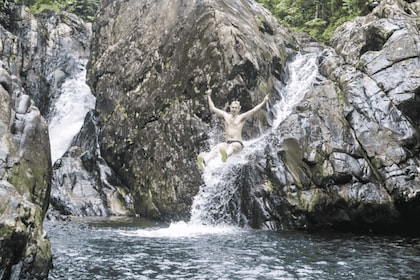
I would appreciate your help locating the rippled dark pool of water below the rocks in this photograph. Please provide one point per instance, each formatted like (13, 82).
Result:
(136, 249)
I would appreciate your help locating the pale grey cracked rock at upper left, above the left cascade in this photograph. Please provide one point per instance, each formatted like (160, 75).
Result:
(39, 50)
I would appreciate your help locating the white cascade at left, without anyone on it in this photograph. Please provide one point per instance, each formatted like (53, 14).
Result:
(68, 112)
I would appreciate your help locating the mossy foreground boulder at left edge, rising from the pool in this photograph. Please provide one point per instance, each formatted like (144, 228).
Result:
(25, 174)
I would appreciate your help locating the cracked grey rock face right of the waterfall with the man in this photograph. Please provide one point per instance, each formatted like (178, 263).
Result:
(348, 157)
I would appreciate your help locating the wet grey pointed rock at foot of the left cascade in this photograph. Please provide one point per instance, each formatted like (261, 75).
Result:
(83, 184)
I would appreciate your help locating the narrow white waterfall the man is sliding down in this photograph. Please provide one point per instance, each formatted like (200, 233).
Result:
(218, 201)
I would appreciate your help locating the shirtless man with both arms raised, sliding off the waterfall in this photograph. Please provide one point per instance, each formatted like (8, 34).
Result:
(233, 123)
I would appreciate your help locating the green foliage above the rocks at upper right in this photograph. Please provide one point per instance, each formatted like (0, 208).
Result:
(319, 18)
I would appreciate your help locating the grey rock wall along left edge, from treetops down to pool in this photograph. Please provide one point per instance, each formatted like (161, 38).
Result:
(37, 55)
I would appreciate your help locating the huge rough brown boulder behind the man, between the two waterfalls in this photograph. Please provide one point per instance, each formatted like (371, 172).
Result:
(150, 65)
